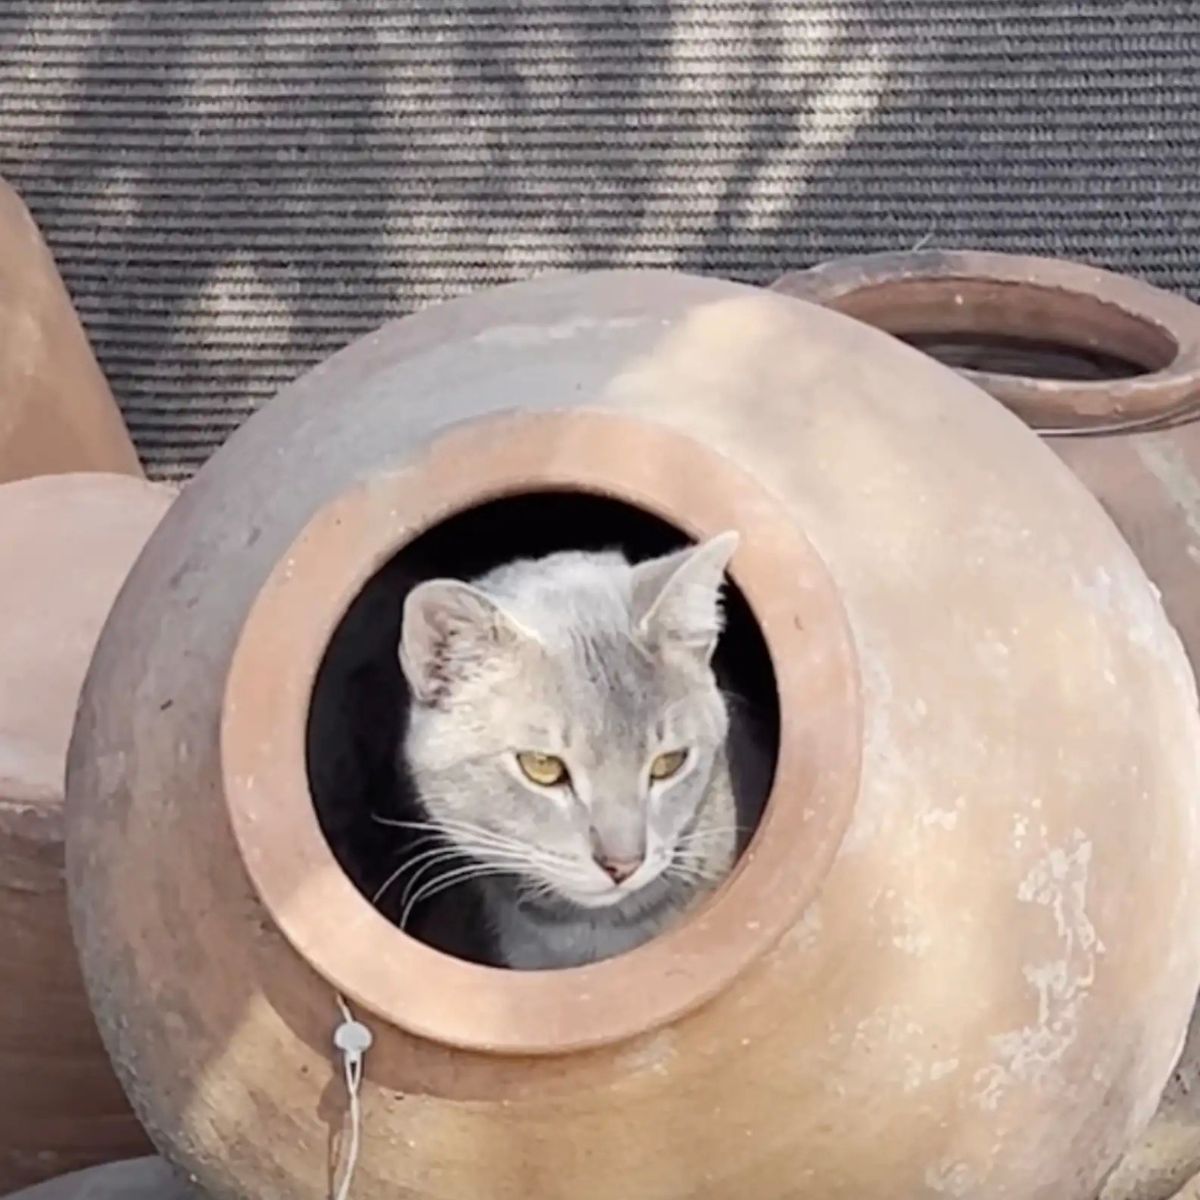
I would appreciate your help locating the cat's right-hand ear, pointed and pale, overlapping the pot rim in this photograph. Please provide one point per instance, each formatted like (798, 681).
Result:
(677, 599)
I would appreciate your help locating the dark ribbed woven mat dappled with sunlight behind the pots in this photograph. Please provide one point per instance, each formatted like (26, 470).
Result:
(237, 188)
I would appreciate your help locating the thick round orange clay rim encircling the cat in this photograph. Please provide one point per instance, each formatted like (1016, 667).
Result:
(268, 691)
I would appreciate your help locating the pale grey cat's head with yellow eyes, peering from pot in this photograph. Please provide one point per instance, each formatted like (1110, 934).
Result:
(566, 724)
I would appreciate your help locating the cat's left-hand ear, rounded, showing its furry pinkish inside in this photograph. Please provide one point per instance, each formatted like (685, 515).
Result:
(447, 631)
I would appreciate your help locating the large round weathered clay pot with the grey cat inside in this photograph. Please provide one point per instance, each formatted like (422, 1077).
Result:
(959, 957)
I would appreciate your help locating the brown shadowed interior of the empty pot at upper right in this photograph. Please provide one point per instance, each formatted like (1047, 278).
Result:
(1015, 329)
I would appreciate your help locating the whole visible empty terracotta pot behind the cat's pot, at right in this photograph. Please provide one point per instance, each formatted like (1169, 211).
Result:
(1106, 367)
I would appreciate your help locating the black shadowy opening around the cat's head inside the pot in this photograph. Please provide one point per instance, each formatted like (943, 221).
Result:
(361, 700)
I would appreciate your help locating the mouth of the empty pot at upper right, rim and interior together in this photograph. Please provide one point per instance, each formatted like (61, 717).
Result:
(1070, 349)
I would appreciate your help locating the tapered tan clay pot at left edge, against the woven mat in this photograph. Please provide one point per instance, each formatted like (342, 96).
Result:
(57, 412)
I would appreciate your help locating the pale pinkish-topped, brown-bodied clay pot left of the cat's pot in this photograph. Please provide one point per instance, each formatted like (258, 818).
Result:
(67, 543)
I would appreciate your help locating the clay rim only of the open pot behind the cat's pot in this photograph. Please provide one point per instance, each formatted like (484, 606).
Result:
(1049, 406)
